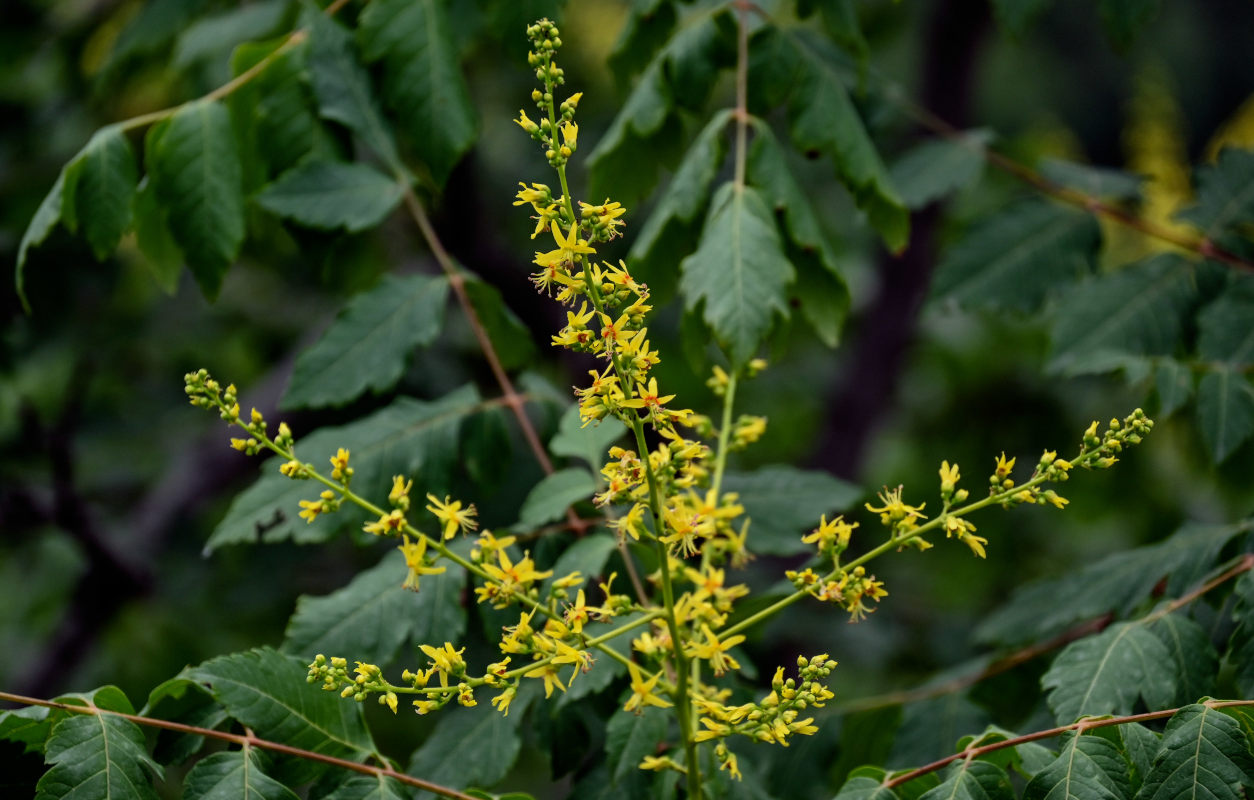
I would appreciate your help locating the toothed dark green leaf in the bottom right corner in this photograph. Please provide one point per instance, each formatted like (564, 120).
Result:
(1204, 757)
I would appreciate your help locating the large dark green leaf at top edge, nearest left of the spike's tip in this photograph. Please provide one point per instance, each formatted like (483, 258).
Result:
(423, 82)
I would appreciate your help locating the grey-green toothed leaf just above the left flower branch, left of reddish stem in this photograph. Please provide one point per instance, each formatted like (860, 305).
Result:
(368, 345)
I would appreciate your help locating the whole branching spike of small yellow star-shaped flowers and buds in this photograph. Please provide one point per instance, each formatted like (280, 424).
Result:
(668, 496)
